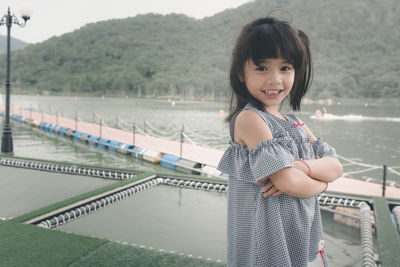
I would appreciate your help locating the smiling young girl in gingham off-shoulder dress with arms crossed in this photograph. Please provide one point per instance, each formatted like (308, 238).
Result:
(276, 166)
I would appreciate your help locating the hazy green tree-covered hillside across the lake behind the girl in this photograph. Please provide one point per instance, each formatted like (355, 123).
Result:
(355, 47)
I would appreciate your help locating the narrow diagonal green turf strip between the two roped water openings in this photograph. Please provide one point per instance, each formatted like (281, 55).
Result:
(44, 210)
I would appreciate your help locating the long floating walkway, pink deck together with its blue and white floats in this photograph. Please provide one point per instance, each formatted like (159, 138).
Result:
(193, 158)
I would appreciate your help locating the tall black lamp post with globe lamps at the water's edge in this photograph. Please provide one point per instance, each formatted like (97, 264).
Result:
(6, 140)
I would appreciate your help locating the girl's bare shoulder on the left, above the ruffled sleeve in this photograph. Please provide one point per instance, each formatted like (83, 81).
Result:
(250, 129)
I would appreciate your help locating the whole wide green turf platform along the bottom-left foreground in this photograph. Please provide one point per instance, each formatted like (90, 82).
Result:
(29, 245)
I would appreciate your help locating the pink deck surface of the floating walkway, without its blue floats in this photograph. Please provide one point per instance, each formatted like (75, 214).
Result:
(199, 154)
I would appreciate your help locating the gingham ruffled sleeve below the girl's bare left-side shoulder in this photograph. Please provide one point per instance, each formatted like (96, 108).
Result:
(252, 165)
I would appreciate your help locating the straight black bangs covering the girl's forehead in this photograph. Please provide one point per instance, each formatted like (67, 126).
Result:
(272, 41)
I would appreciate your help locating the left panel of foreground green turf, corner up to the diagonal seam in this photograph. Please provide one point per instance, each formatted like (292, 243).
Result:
(29, 245)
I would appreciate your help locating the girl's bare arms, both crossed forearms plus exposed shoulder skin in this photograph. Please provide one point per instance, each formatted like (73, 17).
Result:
(250, 130)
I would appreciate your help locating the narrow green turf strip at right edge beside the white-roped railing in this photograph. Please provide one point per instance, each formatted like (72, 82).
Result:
(388, 239)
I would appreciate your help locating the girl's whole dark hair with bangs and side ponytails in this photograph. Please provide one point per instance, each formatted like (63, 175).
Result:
(269, 38)
